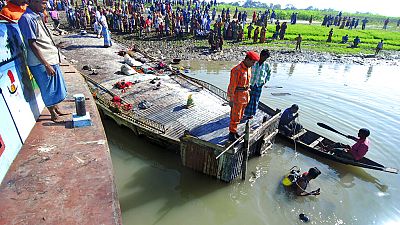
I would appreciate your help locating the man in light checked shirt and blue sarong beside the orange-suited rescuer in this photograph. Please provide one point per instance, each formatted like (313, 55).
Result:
(261, 73)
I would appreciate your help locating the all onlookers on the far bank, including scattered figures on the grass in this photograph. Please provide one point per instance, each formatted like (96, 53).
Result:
(180, 18)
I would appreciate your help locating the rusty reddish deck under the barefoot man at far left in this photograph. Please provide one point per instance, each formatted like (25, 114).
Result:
(62, 175)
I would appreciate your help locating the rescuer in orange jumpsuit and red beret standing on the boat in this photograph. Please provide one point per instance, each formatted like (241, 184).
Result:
(238, 91)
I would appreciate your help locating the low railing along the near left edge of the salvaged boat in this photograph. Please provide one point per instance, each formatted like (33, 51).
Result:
(126, 114)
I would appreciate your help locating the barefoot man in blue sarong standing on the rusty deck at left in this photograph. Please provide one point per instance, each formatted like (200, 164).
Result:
(43, 58)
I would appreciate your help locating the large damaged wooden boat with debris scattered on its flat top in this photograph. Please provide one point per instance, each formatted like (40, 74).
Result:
(175, 111)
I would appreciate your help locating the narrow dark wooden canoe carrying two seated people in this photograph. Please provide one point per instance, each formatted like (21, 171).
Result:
(309, 141)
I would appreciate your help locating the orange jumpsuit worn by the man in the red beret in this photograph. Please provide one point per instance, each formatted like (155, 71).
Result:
(238, 93)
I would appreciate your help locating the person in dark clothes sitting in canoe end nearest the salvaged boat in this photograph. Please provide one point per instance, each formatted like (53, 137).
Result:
(287, 124)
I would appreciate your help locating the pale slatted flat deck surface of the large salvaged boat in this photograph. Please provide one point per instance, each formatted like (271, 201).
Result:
(208, 119)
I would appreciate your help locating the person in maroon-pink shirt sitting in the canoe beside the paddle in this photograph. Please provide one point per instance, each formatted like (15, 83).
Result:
(356, 151)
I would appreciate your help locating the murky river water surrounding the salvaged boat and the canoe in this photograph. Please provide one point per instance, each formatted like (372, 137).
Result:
(154, 188)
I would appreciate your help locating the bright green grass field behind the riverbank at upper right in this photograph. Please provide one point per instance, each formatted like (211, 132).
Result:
(314, 36)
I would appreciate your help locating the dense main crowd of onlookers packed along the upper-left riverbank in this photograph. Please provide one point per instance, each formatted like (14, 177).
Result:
(175, 19)
